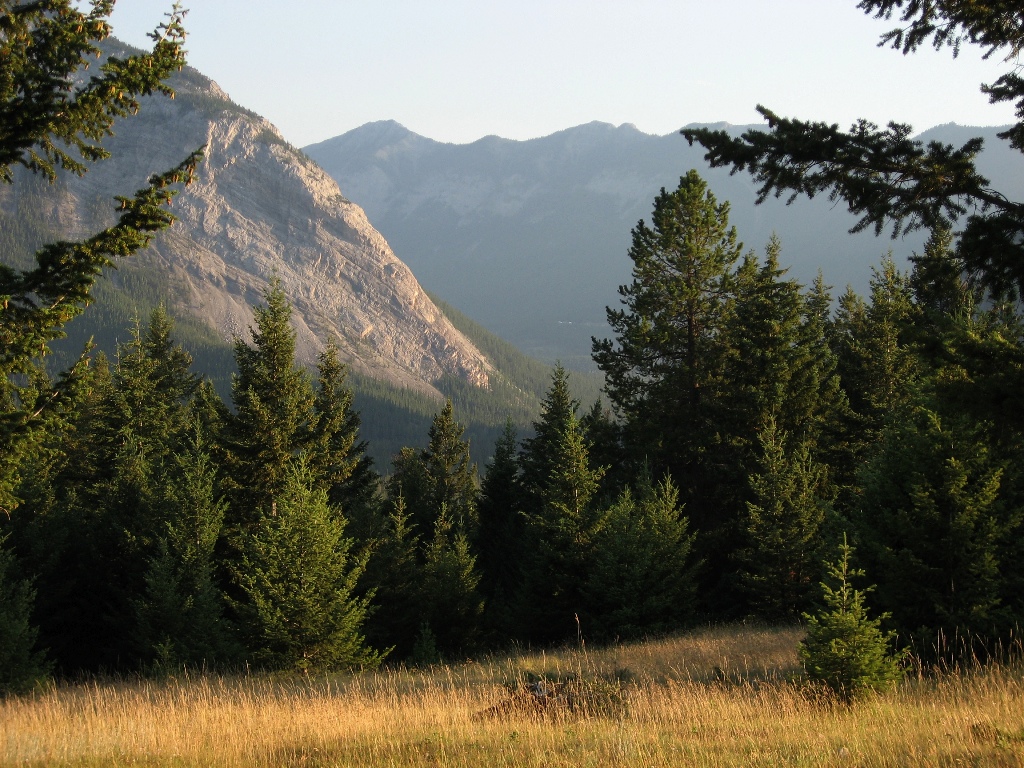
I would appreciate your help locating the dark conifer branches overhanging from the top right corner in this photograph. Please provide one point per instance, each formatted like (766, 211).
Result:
(886, 178)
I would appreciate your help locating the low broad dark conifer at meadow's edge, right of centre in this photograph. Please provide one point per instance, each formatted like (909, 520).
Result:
(643, 577)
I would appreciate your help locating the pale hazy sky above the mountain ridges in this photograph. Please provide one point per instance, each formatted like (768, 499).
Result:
(459, 70)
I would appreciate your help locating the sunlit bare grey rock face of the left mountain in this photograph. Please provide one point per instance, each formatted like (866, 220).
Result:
(259, 209)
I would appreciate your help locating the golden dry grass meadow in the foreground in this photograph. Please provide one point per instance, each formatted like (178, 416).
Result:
(729, 697)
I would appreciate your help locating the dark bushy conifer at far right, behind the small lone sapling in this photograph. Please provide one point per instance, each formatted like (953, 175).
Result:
(935, 526)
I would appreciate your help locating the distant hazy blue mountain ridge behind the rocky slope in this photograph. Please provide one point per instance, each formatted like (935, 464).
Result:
(531, 238)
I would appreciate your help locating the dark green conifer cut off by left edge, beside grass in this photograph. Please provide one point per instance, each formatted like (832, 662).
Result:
(22, 664)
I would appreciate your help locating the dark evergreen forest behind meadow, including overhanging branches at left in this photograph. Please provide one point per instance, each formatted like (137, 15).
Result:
(751, 426)
